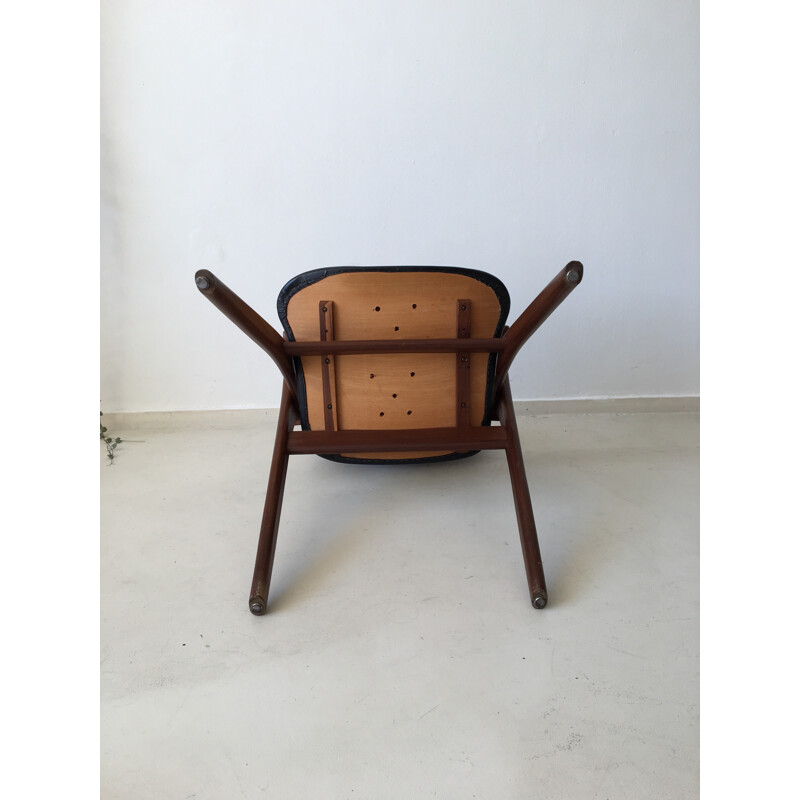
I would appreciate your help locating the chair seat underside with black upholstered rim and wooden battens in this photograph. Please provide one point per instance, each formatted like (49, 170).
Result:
(393, 391)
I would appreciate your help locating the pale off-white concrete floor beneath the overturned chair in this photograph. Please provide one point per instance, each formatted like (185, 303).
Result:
(401, 657)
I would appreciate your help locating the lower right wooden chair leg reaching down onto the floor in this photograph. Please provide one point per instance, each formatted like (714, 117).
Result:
(522, 500)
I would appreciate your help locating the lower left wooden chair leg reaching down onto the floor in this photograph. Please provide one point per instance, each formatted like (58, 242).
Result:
(265, 555)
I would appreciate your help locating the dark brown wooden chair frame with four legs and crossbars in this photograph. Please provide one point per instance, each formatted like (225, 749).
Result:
(288, 441)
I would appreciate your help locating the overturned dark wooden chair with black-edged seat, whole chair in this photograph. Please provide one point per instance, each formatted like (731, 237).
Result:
(388, 365)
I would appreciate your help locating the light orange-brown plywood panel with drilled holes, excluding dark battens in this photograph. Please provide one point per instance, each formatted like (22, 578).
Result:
(377, 392)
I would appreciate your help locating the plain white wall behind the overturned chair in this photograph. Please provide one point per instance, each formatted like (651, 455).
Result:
(262, 139)
